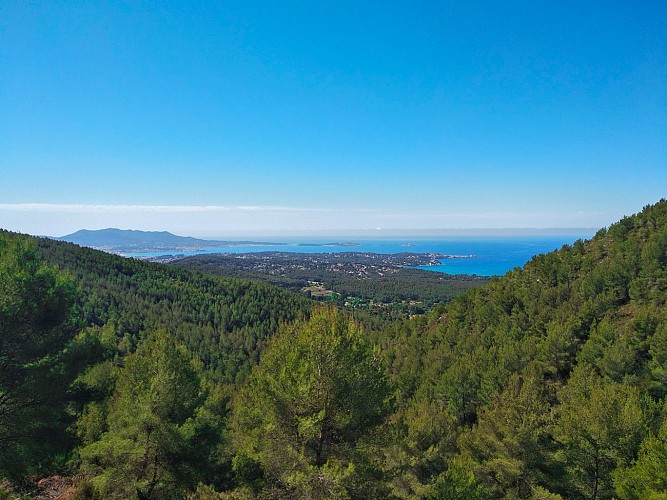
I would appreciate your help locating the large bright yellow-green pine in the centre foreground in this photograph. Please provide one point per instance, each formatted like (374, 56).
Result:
(307, 406)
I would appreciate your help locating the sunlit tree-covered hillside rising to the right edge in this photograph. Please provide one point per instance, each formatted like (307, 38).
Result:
(551, 378)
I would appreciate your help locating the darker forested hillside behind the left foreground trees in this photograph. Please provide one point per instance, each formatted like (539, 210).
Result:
(224, 322)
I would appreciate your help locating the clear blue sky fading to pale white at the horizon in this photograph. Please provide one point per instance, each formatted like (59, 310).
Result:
(213, 118)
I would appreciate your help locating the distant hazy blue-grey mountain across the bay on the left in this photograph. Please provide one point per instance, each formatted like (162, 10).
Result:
(131, 241)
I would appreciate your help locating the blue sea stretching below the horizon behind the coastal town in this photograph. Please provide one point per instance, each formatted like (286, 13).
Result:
(491, 255)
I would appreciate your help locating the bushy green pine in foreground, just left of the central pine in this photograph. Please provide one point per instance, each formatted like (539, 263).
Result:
(143, 453)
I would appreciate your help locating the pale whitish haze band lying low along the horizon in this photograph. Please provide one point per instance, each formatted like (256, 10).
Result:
(267, 221)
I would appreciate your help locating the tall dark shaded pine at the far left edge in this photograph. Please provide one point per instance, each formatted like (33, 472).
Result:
(35, 311)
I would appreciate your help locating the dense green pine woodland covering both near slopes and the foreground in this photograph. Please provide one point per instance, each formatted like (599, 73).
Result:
(128, 379)
